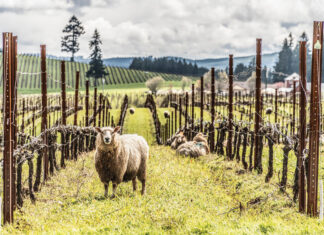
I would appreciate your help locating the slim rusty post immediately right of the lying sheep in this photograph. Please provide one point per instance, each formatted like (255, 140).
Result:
(212, 111)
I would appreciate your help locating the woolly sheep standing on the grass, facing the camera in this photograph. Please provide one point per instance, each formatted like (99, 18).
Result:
(120, 158)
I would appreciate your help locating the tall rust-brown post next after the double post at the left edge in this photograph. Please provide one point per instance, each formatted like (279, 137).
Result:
(44, 109)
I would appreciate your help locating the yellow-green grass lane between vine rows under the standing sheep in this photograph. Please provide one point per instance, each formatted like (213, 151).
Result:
(184, 196)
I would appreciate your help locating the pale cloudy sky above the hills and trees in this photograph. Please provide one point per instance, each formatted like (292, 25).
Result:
(189, 28)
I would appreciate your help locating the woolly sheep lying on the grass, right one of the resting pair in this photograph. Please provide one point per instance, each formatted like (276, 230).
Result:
(197, 147)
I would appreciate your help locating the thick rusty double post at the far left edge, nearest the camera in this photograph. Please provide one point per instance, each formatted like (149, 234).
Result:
(9, 130)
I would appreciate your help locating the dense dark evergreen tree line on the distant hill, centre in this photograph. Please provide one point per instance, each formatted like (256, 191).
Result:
(167, 65)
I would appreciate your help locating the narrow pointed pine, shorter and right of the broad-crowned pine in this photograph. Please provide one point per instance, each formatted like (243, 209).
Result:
(97, 69)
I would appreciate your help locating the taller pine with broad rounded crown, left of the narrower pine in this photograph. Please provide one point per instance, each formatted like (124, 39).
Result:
(73, 31)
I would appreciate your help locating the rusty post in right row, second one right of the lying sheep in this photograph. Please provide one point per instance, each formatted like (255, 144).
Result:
(230, 109)
